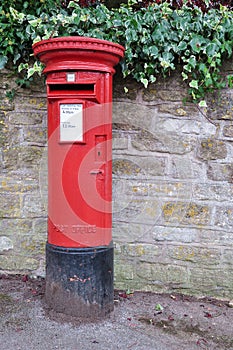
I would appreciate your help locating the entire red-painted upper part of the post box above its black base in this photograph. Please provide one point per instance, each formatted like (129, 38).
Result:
(79, 81)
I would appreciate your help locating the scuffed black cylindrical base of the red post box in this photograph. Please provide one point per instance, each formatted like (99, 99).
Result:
(79, 282)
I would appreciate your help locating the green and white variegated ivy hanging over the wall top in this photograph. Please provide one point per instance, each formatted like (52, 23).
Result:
(157, 39)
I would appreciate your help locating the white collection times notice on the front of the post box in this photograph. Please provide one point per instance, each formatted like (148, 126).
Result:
(71, 122)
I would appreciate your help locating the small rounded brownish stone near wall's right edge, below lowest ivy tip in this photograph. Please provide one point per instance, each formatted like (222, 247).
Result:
(211, 149)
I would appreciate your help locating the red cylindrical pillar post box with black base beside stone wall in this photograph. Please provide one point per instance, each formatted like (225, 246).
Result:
(79, 251)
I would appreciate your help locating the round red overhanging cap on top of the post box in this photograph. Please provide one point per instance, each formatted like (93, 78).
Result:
(78, 53)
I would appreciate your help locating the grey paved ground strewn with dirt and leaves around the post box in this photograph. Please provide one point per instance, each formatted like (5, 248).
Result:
(141, 321)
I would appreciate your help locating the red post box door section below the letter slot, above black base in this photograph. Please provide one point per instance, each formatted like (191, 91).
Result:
(79, 173)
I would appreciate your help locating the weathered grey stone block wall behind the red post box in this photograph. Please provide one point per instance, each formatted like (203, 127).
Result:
(172, 187)
